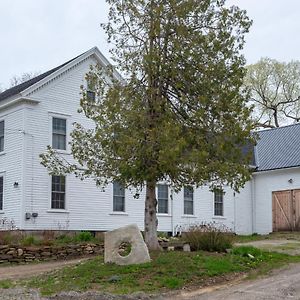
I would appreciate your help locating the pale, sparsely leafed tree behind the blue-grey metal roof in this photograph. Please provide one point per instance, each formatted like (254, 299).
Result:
(275, 91)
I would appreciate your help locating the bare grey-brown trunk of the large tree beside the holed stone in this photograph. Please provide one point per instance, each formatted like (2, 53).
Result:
(150, 221)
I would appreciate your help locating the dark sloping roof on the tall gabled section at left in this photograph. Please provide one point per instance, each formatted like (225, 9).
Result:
(24, 85)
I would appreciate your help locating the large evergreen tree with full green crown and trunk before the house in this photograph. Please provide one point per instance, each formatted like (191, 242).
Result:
(179, 115)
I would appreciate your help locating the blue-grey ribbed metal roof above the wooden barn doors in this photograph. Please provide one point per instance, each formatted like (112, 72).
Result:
(278, 148)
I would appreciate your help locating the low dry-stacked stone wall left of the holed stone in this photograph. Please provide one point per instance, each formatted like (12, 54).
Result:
(21, 254)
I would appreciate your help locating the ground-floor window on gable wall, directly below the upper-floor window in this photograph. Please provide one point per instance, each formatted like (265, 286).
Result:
(58, 196)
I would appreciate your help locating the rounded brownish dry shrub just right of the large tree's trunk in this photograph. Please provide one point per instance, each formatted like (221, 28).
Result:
(209, 237)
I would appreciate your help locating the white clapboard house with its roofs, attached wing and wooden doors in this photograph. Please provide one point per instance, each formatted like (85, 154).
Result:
(41, 111)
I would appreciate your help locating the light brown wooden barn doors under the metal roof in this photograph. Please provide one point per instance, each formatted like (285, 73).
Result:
(286, 210)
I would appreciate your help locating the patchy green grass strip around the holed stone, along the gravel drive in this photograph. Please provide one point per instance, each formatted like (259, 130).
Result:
(167, 271)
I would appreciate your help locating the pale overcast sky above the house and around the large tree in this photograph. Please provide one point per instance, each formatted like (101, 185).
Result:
(37, 35)
